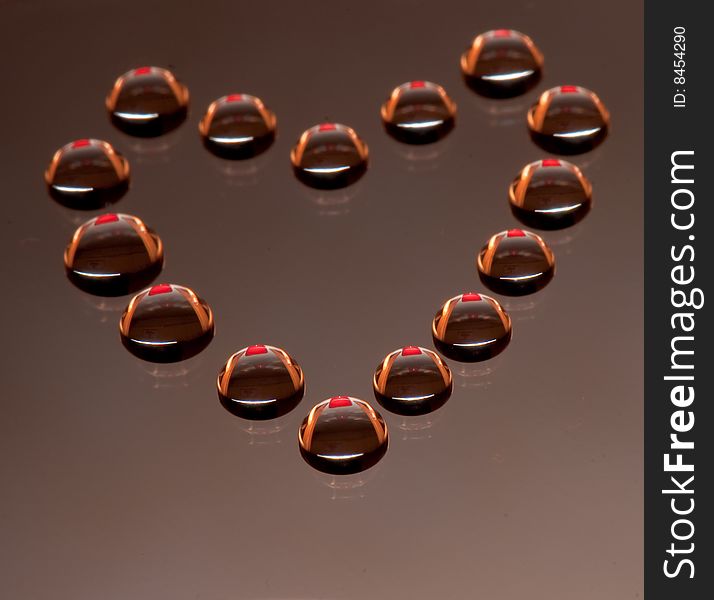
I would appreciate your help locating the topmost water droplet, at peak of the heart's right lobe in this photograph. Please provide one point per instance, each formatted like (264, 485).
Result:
(502, 63)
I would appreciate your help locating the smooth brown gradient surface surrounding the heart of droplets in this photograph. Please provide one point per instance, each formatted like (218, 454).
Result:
(123, 480)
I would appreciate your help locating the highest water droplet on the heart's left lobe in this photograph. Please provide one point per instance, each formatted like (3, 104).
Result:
(147, 102)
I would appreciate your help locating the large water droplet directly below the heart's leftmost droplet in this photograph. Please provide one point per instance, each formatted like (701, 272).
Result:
(113, 255)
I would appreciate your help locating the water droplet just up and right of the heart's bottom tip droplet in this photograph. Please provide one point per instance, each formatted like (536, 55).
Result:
(412, 381)
